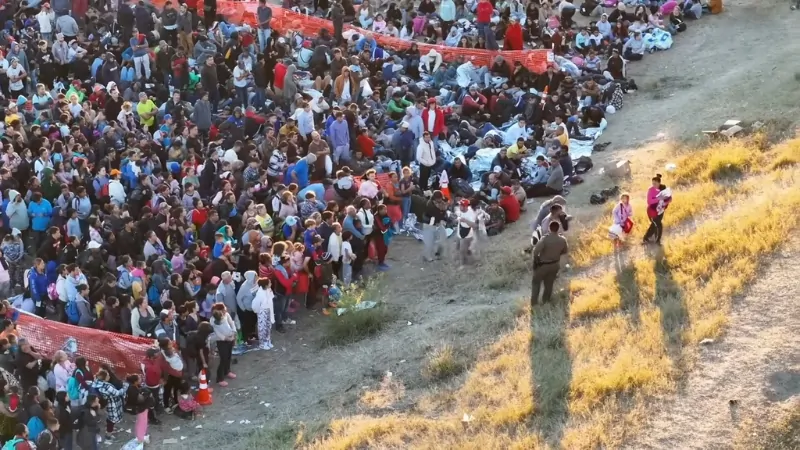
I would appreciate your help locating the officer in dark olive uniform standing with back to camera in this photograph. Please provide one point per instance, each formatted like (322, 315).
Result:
(546, 258)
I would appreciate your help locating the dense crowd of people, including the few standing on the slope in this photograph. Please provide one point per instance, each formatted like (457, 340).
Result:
(170, 175)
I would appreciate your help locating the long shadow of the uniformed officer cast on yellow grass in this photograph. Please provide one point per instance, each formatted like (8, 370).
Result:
(551, 366)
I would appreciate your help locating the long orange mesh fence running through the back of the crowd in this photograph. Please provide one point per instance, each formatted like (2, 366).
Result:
(286, 20)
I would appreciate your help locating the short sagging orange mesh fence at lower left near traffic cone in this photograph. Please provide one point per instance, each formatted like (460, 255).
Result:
(120, 351)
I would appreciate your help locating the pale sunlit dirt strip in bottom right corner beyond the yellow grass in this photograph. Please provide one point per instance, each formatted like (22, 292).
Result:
(756, 364)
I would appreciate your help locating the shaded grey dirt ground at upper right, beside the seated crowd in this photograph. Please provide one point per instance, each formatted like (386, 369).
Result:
(725, 66)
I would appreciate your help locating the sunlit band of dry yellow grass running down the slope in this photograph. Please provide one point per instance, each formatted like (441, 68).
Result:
(580, 376)
